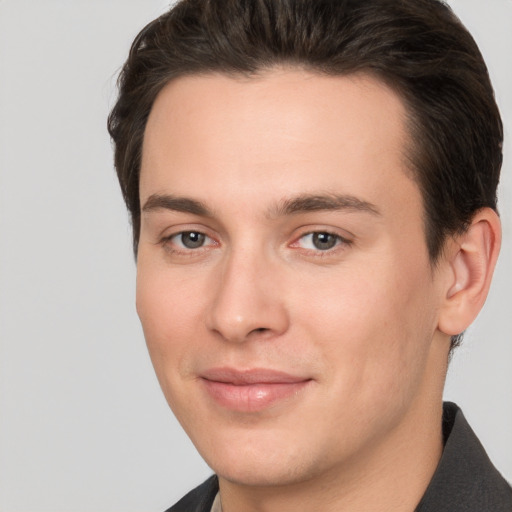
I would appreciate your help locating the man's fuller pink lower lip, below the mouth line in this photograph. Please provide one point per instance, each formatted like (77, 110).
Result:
(253, 397)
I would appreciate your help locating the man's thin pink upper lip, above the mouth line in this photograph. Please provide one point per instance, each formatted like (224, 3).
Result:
(250, 376)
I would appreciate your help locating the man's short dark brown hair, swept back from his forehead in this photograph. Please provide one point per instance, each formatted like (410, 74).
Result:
(417, 47)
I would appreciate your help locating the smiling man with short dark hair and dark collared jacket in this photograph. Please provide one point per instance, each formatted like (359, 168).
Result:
(312, 185)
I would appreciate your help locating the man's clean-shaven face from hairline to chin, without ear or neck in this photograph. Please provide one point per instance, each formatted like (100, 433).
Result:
(283, 281)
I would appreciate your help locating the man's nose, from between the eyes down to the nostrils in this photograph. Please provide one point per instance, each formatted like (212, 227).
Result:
(248, 300)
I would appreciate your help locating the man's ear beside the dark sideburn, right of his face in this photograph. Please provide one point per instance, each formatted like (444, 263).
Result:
(469, 259)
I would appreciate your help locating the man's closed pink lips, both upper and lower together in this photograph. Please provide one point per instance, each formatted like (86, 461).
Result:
(251, 390)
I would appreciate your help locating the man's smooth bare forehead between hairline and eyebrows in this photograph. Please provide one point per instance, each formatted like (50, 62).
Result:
(293, 130)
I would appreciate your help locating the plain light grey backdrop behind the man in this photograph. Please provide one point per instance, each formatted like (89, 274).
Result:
(83, 424)
